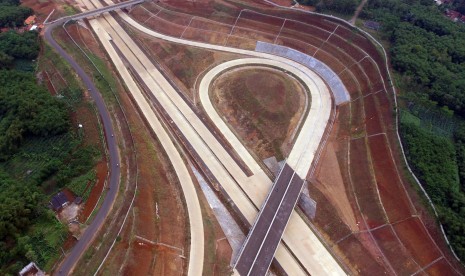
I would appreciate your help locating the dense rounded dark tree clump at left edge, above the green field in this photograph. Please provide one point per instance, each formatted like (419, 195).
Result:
(27, 110)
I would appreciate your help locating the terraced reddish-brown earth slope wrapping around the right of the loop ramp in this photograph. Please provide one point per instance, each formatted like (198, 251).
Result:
(367, 211)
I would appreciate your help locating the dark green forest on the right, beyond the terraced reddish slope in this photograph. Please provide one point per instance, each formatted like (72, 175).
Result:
(428, 54)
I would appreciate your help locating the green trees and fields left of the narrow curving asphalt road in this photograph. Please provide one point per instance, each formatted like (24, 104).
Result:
(39, 155)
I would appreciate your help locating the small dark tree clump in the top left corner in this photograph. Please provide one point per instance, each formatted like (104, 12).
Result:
(11, 14)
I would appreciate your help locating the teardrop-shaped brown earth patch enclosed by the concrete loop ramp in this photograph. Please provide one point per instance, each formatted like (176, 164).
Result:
(262, 105)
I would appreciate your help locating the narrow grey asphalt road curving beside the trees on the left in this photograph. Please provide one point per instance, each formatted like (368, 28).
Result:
(66, 267)
